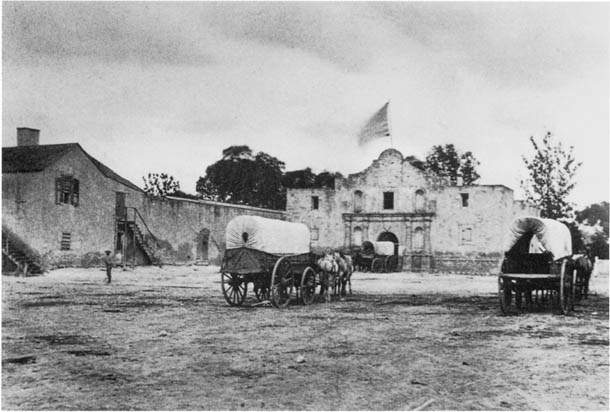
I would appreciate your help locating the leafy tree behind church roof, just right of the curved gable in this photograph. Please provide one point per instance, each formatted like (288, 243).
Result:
(446, 164)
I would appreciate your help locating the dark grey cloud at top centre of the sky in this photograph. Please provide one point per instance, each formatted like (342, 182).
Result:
(337, 33)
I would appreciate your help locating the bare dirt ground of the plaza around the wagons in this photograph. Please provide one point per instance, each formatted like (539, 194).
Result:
(165, 339)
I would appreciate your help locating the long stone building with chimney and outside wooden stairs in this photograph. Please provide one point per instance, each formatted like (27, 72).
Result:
(62, 207)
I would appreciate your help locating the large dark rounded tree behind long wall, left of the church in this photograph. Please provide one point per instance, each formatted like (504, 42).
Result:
(244, 178)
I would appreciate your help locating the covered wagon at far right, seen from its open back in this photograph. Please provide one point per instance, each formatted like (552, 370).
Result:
(537, 265)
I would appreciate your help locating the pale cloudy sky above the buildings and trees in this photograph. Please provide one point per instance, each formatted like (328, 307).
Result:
(166, 86)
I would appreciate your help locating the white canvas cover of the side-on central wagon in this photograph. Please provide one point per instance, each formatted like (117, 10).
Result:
(267, 235)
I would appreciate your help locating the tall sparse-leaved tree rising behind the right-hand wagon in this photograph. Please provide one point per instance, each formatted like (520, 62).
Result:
(551, 177)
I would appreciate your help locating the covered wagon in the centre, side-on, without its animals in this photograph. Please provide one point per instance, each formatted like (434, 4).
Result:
(272, 255)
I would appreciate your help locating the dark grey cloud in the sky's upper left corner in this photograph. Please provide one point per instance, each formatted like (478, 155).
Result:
(107, 32)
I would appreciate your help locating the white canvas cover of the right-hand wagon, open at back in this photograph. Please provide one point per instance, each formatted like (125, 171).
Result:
(552, 235)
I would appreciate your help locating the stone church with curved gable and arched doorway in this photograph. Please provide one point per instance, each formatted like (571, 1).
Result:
(433, 227)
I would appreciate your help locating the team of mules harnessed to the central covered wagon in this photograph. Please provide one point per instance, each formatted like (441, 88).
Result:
(336, 270)
